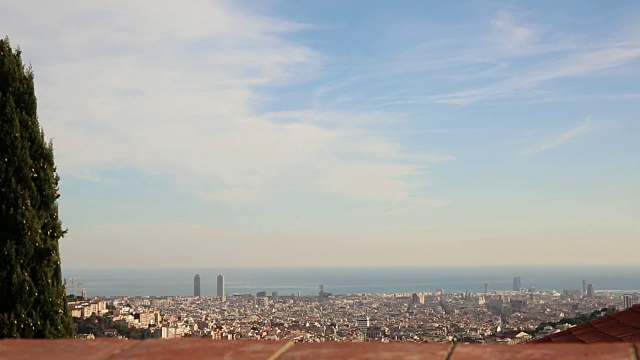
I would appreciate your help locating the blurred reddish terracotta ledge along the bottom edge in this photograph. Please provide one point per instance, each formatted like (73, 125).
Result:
(194, 349)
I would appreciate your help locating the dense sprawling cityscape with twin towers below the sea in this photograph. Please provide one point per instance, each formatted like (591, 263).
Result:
(503, 317)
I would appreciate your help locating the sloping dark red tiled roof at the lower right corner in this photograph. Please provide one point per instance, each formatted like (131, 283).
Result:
(620, 326)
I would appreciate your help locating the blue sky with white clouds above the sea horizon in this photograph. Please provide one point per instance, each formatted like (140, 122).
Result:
(339, 133)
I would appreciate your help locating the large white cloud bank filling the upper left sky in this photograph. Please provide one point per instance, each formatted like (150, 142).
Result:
(173, 89)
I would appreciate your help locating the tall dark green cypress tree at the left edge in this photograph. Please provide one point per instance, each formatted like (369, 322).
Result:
(32, 295)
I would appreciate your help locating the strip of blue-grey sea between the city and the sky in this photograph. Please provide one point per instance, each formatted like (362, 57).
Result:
(347, 280)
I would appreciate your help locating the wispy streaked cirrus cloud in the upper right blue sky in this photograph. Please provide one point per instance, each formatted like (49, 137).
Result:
(505, 59)
